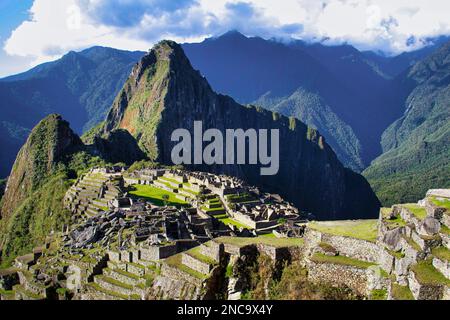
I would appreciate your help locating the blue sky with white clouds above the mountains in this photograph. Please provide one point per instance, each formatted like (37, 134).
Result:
(37, 31)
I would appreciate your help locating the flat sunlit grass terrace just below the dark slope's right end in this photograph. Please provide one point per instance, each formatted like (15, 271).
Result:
(360, 229)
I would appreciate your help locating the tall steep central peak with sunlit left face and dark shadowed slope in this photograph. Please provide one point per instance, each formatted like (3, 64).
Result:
(165, 93)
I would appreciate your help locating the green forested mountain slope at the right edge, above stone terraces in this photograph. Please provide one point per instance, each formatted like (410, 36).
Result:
(417, 148)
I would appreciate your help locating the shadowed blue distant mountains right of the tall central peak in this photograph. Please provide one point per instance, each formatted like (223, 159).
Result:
(360, 91)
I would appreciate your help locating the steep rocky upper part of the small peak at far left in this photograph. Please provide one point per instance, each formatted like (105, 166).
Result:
(47, 144)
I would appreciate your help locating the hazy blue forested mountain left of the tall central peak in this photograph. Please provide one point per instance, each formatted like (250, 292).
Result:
(81, 86)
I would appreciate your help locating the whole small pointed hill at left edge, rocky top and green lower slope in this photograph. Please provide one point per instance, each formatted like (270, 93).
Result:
(33, 206)
